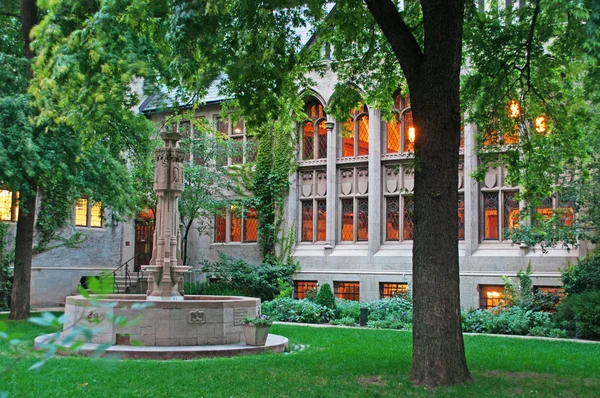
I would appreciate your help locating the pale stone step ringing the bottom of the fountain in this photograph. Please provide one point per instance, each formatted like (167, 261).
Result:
(275, 343)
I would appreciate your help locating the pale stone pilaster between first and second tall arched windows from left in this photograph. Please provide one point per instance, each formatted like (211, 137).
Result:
(331, 183)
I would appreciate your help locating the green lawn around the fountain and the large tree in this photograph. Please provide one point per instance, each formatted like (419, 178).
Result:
(333, 362)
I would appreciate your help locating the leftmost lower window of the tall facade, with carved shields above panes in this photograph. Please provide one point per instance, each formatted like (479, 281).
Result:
(313, 204)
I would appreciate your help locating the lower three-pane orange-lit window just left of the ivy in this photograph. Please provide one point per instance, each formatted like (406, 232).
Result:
(236, 225)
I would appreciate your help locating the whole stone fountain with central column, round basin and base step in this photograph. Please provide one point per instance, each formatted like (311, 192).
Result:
(166, 322)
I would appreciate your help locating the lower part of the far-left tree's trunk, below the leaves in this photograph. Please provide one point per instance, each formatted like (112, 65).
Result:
(21, 290)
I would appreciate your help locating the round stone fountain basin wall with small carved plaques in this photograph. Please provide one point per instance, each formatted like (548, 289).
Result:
(194, 321)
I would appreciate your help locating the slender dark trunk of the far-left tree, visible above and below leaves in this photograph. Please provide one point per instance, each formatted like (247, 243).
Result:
(21, 291)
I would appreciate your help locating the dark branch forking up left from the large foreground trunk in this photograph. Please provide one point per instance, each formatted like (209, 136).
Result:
(403, 42)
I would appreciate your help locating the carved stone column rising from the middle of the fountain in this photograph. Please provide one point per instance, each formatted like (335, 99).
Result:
(166, 266)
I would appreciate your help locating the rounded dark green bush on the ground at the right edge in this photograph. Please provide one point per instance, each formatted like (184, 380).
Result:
(580, 314)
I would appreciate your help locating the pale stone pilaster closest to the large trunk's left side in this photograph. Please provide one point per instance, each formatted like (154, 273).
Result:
(374, 180)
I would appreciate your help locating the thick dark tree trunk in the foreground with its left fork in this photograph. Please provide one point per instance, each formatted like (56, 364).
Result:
(433, 78)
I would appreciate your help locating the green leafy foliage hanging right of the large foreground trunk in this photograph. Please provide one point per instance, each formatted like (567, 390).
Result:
(541, 55)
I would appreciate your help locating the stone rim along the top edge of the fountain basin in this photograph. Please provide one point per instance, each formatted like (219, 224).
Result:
(127, 300)
